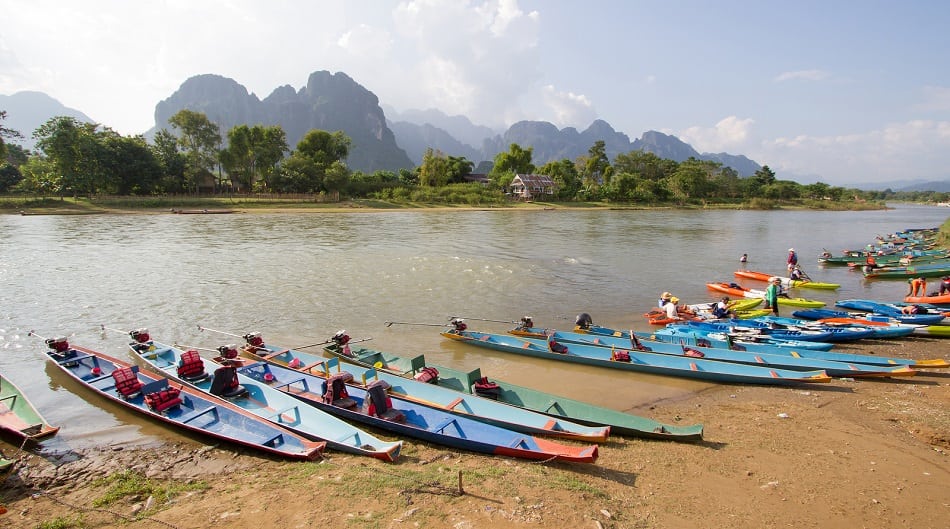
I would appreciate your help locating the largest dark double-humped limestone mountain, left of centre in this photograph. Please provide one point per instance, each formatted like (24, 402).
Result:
(328, 102)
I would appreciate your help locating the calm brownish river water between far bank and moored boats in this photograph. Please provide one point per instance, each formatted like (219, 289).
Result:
(298, 278)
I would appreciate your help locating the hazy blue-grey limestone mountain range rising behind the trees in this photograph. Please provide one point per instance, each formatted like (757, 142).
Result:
(337, 102)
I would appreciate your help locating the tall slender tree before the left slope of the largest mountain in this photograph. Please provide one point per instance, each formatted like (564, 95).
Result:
(199, 140)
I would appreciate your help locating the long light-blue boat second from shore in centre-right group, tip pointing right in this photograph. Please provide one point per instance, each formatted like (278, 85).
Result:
(838, 367)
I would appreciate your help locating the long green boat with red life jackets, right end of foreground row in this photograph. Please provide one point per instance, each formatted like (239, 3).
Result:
(473, 382)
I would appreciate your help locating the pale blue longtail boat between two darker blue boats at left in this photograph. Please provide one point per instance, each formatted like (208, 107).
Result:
(259, 398)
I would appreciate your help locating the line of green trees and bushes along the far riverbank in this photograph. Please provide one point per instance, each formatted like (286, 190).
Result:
(73, 158)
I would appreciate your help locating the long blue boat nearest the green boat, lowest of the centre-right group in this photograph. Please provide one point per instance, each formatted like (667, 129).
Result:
(641, 361)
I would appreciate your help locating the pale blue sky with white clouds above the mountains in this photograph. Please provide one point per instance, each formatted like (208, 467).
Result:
(845, 92)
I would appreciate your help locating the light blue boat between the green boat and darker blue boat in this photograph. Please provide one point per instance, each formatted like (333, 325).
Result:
(463, 404)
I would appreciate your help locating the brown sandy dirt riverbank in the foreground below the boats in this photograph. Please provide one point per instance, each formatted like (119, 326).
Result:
(852, 453)
